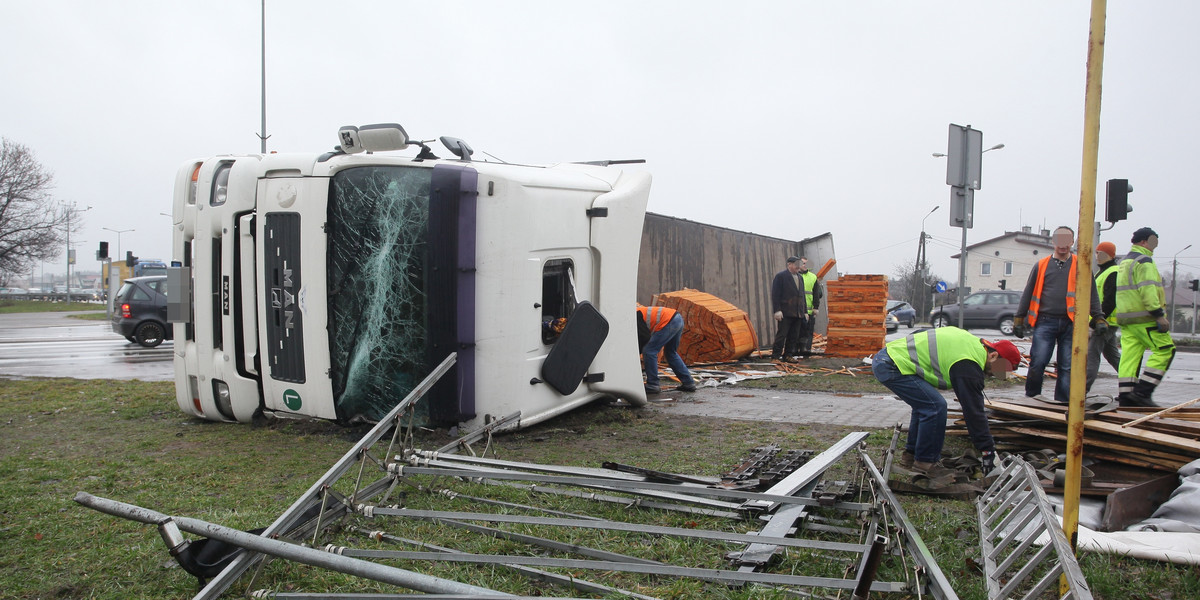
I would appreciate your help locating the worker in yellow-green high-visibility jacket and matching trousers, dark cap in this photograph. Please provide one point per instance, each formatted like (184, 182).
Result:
(1144, 326)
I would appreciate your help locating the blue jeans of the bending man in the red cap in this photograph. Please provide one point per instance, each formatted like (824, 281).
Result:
(927, 427)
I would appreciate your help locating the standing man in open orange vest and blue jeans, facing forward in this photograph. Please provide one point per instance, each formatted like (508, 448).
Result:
(1048, 307)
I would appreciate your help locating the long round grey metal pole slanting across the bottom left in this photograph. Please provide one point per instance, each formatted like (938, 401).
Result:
(356, 567)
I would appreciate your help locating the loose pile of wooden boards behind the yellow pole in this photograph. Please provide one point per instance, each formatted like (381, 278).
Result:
(1150, 439)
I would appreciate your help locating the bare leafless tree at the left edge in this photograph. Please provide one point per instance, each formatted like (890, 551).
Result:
(33, 224)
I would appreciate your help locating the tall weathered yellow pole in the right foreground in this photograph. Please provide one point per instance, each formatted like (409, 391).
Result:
(1084, 281)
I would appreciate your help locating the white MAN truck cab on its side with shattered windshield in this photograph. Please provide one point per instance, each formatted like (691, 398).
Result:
(328, 286)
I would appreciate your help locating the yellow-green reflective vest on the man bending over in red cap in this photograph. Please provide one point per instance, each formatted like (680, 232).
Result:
(932, 353)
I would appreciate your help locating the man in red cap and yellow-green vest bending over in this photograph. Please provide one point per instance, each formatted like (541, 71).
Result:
(919, 365)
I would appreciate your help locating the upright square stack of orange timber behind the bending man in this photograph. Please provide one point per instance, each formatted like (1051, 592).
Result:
(857, 308)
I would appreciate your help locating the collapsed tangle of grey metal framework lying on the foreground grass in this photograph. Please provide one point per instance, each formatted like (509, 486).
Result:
(791, 524)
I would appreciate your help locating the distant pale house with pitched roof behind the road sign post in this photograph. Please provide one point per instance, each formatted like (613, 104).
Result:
(1009, 259)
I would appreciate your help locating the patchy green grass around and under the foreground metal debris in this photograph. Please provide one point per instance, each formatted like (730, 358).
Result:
(129, 442)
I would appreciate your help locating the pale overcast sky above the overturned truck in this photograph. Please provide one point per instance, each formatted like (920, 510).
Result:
(787, 119)
